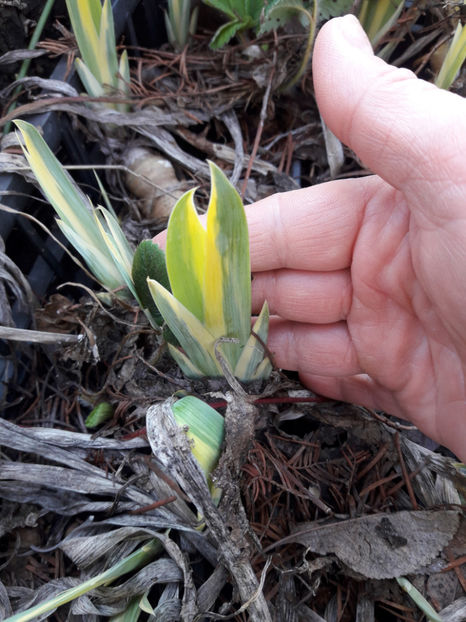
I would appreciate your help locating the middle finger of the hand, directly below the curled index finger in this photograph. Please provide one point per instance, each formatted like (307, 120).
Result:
(318, 298)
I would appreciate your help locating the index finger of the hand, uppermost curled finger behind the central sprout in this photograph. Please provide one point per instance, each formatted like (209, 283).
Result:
(309, 229)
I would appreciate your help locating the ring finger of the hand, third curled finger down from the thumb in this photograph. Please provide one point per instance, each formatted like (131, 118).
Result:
(326, 349)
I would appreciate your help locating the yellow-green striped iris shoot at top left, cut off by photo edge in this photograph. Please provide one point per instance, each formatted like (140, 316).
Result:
(99, 68)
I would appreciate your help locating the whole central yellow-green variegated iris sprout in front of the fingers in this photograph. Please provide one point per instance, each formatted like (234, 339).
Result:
(209, 309)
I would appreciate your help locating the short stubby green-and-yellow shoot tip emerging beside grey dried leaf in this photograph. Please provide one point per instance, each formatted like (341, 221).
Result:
(205, 430)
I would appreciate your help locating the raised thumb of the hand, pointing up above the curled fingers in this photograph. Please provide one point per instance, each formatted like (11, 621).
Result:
(406, 130)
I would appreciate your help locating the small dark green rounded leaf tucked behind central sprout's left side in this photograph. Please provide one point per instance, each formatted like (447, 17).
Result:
(149, 261)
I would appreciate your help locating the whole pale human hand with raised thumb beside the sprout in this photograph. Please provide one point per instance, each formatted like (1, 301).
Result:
(368, 276)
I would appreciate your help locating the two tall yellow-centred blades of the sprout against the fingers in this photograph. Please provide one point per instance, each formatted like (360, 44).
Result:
(209, 268)
